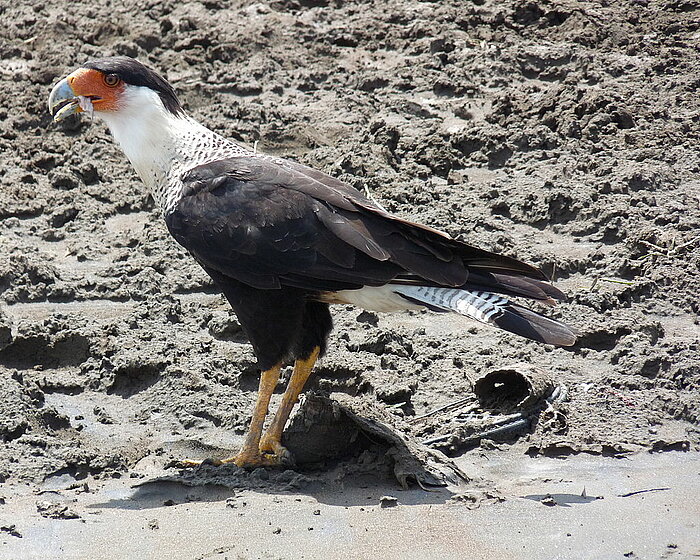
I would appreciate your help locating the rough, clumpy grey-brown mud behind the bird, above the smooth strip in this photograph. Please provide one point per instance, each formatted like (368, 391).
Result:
(563, 133)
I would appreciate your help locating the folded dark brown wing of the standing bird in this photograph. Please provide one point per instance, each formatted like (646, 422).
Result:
(269, 222)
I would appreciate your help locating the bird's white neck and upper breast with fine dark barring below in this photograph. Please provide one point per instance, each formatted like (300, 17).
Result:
(160, 145)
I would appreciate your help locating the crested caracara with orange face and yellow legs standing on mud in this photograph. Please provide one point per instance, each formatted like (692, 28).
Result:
(283, 241)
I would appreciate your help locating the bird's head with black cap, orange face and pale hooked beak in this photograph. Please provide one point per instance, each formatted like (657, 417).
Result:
(109, 87)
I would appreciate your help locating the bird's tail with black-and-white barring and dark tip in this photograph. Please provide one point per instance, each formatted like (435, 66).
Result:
(492, 309)
